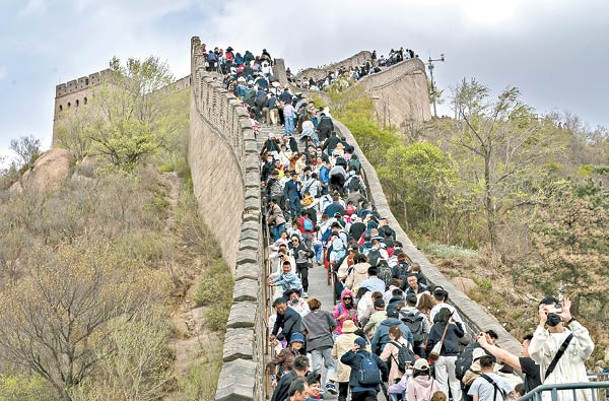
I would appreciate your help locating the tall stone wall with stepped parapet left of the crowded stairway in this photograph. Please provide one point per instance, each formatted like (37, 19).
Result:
(223, 158)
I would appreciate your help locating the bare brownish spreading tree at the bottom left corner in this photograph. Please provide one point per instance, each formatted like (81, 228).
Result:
(53, 321)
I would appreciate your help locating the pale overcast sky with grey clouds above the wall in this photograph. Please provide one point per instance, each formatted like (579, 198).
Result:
(555, 51)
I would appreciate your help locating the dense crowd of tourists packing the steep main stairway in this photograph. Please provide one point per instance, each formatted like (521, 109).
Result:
(389, 330)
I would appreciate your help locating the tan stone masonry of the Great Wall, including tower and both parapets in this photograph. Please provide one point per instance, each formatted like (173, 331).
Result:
(223, 157)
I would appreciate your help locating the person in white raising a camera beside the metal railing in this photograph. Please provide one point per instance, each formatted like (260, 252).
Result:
(561, 349)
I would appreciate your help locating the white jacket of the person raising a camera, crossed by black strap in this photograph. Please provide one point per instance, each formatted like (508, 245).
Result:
(570, 367)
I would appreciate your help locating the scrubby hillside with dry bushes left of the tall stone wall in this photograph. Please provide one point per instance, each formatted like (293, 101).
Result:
(108, 275)
